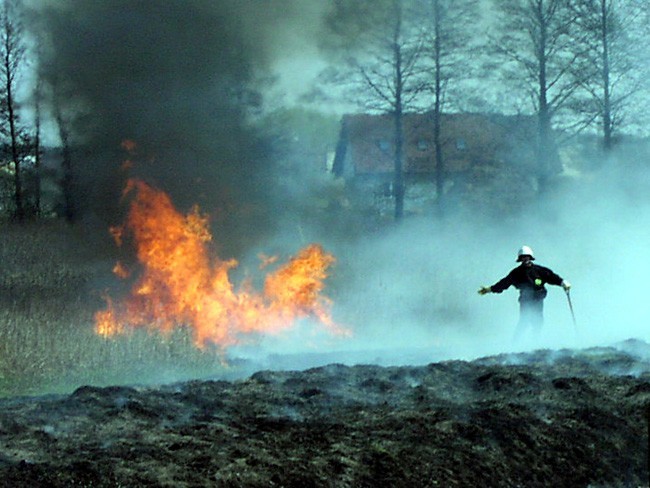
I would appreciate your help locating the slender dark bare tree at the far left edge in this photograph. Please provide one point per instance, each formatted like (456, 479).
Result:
(12, 53)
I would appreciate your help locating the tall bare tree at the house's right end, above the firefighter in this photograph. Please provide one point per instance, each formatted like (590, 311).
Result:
(537, 41)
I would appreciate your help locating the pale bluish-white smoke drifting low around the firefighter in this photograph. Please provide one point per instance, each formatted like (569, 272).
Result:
(409, 291)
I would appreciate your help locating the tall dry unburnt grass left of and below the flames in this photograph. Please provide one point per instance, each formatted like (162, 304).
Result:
(49, 286)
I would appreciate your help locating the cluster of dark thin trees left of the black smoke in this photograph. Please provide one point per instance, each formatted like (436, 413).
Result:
(24, 161)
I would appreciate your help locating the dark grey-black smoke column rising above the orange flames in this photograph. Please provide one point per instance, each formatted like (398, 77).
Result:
(180, 78)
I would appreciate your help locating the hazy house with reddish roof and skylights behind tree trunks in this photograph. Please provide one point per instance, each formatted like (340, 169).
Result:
(478, 151)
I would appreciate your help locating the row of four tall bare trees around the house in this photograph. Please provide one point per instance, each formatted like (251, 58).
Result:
(576, 65)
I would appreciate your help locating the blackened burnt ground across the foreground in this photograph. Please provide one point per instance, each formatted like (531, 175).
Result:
(566, 418)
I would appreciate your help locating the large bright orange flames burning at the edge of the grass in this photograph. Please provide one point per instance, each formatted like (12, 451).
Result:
(181, 285)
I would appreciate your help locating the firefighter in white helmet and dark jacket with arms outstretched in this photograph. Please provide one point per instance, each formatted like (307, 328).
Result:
(529, 279)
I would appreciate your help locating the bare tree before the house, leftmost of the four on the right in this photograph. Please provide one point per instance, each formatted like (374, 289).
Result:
(381, 46)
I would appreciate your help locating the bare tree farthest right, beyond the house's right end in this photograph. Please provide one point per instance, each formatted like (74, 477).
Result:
(614, 31)
